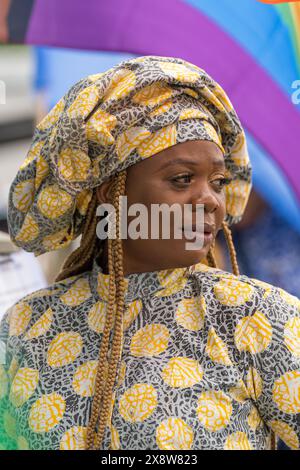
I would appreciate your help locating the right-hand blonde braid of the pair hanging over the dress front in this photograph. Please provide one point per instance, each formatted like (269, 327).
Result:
(118, 330)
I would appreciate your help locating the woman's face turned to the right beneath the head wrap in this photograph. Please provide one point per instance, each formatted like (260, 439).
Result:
(187, 173)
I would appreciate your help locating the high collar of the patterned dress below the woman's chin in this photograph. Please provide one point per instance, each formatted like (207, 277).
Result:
(138, 285)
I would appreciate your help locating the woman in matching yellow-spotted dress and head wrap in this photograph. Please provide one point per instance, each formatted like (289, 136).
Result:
(139, 344)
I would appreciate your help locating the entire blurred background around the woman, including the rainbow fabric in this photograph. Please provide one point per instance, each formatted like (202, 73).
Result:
(252, 49)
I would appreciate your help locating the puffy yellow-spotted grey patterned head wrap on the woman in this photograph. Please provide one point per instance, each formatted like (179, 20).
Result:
(109, 121)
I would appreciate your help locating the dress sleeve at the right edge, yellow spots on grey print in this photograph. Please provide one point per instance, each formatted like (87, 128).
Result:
(270, 338)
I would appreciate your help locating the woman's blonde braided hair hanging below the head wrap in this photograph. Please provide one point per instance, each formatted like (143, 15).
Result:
(79, 261)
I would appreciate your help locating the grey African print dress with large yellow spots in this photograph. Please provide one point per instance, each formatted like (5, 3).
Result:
(209, 361)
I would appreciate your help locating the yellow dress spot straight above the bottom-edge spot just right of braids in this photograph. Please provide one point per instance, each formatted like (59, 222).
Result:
(182, 372)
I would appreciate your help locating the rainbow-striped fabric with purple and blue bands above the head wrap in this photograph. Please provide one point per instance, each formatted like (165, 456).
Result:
(252, 49)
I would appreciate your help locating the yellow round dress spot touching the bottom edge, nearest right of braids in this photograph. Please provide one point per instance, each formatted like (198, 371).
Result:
(174, 434)
